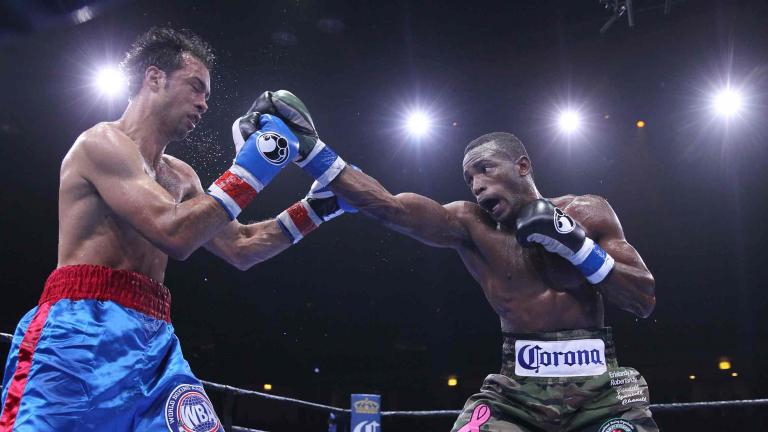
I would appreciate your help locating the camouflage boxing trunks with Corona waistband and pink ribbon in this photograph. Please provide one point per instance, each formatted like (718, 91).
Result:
(559, 381)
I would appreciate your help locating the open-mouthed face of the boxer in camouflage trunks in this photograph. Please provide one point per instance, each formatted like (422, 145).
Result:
(499, 184)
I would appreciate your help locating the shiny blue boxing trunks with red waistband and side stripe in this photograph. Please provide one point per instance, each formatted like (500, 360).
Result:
(99, 353)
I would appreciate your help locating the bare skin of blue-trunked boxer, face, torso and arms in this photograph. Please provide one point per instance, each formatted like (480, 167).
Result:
(125, 204)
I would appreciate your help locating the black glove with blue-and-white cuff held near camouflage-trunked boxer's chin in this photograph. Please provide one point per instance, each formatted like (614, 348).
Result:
(543, 223)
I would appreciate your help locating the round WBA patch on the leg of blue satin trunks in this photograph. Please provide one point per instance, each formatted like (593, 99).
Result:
(189, 410)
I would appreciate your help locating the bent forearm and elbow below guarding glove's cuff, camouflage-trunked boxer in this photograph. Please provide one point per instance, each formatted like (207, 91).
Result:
(631, 289)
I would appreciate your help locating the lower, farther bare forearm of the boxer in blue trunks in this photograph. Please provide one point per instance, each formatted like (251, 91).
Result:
(243, 246)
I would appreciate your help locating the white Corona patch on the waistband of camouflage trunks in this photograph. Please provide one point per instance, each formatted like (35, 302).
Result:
(582, 357)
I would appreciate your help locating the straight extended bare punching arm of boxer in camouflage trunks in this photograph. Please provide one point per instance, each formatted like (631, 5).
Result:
(411, 214)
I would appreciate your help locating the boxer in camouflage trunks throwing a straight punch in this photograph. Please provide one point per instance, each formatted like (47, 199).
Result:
(547, 267)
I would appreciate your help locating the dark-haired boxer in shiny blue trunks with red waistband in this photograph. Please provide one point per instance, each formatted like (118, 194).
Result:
(99, 352)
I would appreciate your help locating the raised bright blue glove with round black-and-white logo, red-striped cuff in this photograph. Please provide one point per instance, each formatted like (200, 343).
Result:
(263, 146)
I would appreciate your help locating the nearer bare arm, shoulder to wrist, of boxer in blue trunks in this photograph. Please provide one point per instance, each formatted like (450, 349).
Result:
(114, 166)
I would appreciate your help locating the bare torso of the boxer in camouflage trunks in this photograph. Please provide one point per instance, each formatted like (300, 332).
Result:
(529, 288)
